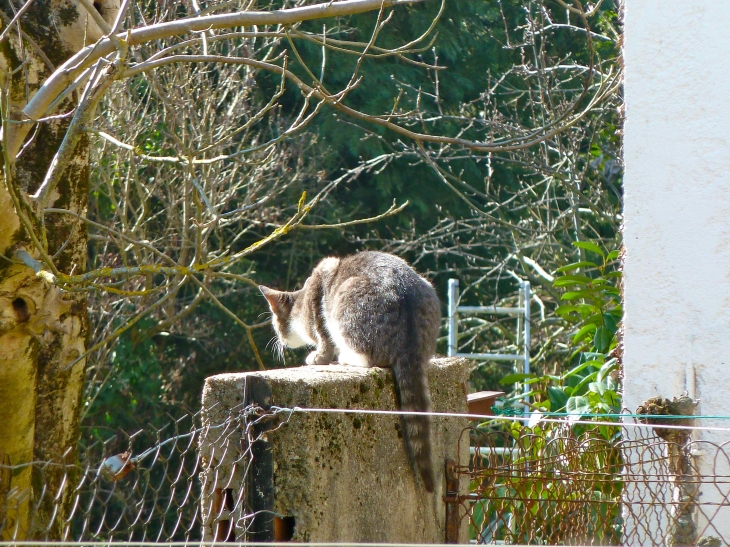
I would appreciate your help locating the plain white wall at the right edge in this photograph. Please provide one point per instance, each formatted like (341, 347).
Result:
(677, 207)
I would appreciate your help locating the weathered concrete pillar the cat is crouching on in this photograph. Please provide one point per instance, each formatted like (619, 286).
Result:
(325, 476)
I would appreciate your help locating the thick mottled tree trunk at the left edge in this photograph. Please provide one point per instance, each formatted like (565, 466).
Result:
(43, 330)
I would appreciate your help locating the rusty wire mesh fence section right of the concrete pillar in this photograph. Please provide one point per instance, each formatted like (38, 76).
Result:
(568, 484)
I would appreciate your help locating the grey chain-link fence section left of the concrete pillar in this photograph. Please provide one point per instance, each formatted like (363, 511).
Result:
(146, 486)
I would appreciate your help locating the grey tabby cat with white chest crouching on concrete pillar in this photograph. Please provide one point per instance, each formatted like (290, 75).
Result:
(372, 310)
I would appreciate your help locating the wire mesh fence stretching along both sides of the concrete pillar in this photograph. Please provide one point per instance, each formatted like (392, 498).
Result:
(557, 483)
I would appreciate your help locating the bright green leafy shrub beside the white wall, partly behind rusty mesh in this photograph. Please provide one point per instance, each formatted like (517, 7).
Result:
(551, 507)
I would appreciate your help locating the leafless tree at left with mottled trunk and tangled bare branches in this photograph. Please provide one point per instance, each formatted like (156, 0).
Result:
(52, 84)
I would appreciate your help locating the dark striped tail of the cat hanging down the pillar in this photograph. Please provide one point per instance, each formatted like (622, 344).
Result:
(412, 386)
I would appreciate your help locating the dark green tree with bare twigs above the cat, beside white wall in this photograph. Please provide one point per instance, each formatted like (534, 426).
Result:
(540, 81)
